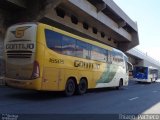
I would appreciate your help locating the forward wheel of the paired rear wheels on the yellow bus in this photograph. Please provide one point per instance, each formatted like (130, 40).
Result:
(82, 86)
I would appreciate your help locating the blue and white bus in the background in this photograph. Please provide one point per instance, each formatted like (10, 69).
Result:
(145, 74)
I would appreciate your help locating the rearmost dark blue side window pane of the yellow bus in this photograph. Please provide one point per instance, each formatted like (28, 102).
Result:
(53, 40)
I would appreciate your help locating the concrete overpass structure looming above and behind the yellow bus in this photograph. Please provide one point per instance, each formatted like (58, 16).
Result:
(99, 20)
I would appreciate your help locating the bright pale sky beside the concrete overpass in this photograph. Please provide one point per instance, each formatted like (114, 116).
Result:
(146, 14)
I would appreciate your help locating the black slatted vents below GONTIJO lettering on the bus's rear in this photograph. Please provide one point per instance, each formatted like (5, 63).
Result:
(19, 54)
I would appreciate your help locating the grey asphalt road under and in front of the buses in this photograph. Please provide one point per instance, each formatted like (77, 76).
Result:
(134, 99)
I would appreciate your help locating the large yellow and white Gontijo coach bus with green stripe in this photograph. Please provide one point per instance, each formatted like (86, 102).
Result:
(42, 57)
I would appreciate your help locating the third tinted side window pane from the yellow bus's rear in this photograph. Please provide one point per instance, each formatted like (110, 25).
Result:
(83, 49)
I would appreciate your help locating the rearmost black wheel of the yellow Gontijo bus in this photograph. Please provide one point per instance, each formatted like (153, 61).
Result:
(70, 87)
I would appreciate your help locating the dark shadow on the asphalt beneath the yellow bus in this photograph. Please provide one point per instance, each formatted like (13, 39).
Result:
(51, 95)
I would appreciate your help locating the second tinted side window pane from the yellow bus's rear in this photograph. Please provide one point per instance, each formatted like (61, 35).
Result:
(68, 45)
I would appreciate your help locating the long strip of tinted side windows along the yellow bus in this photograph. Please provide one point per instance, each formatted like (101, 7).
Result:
(70, 46)
